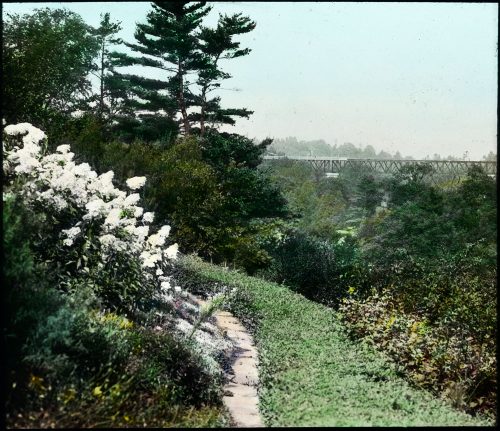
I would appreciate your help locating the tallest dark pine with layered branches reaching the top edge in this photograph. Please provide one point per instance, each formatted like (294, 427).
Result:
(169, 43)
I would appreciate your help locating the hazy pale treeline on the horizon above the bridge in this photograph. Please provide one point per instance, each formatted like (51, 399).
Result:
(291, 146)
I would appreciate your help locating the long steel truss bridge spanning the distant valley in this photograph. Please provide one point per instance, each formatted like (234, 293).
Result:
(442, 169)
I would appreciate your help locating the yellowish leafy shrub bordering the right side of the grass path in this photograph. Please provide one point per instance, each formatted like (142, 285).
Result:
(442, 357)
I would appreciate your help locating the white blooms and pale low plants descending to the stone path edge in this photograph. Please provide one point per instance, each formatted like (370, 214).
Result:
(114, 216)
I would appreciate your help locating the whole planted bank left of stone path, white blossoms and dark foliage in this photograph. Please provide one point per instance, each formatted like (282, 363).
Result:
(98, 334)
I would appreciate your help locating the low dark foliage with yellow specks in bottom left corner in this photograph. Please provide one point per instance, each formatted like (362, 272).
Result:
(87, 369)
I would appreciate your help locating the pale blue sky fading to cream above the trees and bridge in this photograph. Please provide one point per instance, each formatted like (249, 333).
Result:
(419, 78)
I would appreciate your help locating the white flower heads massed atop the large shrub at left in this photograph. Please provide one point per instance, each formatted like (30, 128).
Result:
(56, 181)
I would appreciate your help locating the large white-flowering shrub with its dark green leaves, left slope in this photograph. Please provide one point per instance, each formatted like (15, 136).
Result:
(96, 231)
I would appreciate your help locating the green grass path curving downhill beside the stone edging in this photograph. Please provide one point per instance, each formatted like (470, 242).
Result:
(311, 373)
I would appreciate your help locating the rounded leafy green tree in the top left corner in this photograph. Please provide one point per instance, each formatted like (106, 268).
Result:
(46, 60)
